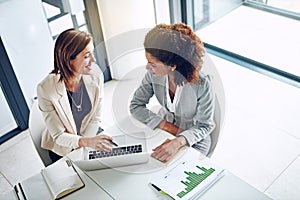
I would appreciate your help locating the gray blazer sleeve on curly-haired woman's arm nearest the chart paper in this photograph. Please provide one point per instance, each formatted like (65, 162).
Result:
(203, 121)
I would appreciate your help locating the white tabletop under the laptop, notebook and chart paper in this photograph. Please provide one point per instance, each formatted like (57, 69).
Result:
(132, 182)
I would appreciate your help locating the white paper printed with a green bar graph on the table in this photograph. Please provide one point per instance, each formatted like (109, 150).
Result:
(188, 178)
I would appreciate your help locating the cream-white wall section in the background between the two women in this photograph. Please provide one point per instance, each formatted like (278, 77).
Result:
(125, 24)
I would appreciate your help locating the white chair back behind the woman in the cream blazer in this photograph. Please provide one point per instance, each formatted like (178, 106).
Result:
(36, 128)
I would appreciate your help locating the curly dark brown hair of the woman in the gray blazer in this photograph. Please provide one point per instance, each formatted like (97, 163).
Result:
(177, 44)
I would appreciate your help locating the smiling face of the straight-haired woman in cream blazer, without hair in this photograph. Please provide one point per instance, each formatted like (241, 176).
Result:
(83, 61)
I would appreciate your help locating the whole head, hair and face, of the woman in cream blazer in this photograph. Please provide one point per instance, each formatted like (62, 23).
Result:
(73, 55)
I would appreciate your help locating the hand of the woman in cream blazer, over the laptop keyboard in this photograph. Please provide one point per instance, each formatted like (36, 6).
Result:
(99, 142)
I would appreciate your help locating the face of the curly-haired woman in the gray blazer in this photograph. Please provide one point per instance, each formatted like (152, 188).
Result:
(157, 67)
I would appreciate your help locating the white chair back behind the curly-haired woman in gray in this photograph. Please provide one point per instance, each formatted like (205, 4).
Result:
(210, 68)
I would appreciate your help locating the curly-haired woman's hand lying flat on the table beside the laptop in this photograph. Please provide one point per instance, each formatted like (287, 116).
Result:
(168, 149)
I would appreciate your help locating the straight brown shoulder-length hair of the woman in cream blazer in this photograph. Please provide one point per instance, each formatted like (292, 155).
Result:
(67, 46)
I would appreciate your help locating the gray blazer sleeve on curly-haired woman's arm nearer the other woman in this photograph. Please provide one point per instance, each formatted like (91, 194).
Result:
(139, 101)
